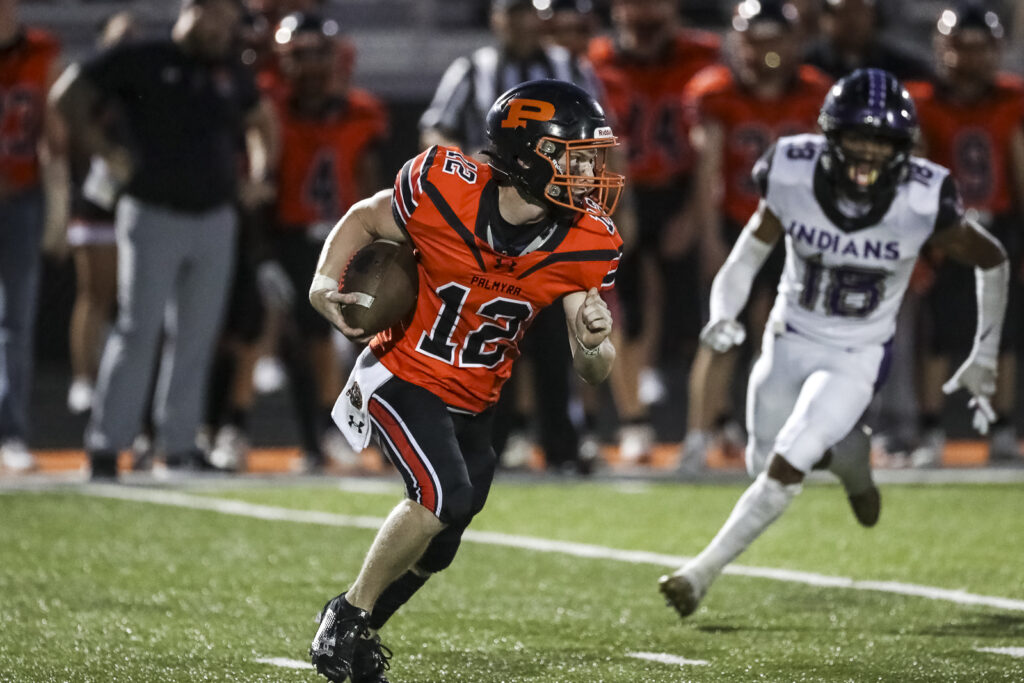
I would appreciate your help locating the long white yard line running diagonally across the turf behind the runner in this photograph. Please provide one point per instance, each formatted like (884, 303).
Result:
(243, 509)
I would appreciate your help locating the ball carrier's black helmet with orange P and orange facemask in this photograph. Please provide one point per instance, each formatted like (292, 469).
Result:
(545, 136)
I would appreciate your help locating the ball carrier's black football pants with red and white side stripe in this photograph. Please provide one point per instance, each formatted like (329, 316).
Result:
(445, 457)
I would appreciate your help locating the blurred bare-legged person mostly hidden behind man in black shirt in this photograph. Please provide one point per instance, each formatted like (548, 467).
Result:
(91, 236)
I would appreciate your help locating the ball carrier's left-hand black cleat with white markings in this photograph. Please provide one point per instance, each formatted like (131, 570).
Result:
(335, 647)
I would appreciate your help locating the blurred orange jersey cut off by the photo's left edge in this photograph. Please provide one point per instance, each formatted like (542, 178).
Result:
(25, 70)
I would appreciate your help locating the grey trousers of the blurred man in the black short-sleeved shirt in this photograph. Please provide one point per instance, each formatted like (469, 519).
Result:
(174, 268)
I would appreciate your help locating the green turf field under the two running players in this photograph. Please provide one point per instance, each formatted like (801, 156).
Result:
(95, 589)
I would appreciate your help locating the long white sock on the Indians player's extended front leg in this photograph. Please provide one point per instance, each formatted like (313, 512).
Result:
(760, 505)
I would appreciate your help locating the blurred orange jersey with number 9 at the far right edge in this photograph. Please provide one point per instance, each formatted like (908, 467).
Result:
(973, 141)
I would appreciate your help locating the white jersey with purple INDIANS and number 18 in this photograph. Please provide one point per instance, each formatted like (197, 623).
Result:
(843, 286)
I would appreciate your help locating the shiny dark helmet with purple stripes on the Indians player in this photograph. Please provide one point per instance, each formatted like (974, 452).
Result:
(873, 104)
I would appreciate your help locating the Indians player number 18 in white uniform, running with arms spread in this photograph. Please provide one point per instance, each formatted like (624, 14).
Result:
(856, 209)
